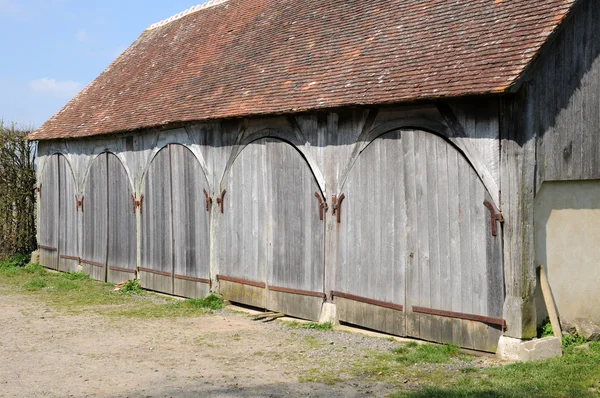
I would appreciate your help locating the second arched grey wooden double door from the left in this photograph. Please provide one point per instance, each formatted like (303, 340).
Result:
(109, 230)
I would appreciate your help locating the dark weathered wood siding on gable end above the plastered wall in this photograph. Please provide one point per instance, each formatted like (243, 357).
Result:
(563, 106)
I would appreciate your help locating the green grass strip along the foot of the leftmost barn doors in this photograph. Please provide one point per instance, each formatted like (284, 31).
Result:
(76, 292)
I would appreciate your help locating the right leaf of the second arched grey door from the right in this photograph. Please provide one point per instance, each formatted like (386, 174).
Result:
(296, 234)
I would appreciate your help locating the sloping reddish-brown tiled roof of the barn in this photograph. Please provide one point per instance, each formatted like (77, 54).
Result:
(256, 57)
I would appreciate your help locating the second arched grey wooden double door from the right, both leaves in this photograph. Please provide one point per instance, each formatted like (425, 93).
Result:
(271, 234)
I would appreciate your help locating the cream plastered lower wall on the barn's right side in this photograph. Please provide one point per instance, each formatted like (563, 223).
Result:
(567, 232)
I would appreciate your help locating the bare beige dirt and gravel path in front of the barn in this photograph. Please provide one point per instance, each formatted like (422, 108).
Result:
(49, 353)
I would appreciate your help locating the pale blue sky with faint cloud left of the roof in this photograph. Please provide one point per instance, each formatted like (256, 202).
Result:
(51, 49)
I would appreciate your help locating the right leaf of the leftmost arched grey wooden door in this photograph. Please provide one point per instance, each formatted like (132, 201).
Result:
(68, 256)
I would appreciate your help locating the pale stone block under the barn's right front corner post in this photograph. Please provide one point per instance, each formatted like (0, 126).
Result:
(529, 350)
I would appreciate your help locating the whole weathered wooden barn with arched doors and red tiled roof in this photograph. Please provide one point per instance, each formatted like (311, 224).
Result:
(407, 163)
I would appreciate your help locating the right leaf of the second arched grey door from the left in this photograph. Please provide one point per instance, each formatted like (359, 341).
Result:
(122, 230)
